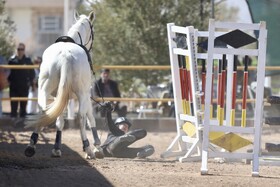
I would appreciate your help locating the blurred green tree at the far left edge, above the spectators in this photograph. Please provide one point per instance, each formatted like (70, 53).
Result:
(7, 29)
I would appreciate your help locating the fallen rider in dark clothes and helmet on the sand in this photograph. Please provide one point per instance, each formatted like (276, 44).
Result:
(119, 138)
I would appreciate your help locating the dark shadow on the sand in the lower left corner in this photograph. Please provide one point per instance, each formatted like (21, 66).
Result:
(42, 170)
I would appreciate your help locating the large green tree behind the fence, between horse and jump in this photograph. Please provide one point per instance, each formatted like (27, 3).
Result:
(135, 33)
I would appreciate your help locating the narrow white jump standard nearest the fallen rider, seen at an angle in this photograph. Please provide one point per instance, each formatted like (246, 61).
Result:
(188, 106)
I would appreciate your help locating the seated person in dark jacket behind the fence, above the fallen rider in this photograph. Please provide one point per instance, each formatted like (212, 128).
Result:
(106, 87)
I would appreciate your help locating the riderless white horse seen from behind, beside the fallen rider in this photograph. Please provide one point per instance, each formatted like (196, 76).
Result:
(65, 73)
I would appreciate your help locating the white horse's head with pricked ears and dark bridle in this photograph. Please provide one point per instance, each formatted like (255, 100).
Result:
(82, 31)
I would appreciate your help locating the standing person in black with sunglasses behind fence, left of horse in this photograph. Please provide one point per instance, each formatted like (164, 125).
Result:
(19, 81)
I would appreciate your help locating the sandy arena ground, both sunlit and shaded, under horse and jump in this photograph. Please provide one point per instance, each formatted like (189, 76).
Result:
(73, 170)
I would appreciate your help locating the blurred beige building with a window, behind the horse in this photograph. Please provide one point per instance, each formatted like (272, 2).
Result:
(40, 22)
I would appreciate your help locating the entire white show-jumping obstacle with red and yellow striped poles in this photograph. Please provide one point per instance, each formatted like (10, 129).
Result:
(198, 130)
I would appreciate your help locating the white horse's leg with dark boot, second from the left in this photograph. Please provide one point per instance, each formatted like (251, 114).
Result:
(56, 151)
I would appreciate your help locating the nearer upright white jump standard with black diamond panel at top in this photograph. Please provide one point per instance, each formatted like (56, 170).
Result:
(226, 125)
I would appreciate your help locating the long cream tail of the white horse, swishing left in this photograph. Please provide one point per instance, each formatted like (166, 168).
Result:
(61, 100)
